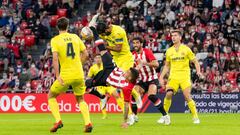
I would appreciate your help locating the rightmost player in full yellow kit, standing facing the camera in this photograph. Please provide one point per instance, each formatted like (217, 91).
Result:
(177, 60)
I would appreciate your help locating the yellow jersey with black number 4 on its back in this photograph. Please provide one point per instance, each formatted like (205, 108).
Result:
(69, 46)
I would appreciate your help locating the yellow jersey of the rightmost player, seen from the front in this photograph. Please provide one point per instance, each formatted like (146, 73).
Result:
(179, 61)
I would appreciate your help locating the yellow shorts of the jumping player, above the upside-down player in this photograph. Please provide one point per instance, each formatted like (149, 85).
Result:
(124, 62)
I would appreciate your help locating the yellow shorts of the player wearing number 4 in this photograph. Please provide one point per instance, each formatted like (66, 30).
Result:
(78, 86)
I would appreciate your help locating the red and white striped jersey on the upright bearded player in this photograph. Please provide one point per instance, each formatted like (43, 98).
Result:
(146, 73)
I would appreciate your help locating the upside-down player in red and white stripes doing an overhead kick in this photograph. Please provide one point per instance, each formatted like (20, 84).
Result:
(114, 76)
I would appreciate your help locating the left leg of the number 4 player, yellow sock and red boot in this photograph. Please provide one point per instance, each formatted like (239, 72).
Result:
(55, 89)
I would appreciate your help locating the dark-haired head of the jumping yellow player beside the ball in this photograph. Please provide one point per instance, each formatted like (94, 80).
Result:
(104, 27)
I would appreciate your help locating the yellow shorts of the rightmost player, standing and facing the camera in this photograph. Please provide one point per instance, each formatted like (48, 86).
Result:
(176, 83)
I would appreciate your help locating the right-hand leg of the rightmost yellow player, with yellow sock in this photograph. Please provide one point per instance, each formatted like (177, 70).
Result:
(186, 86)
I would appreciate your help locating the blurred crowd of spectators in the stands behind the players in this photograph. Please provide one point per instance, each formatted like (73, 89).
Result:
(211, 28)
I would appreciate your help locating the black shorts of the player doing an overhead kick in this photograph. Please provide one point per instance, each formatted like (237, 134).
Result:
(101, 77)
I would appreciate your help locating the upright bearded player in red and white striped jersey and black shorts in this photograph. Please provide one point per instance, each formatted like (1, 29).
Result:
(148, 81)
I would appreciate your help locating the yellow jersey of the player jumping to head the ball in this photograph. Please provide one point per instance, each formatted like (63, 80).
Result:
(118, 36)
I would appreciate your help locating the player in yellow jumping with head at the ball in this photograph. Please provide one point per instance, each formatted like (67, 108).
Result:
(117, 44)
